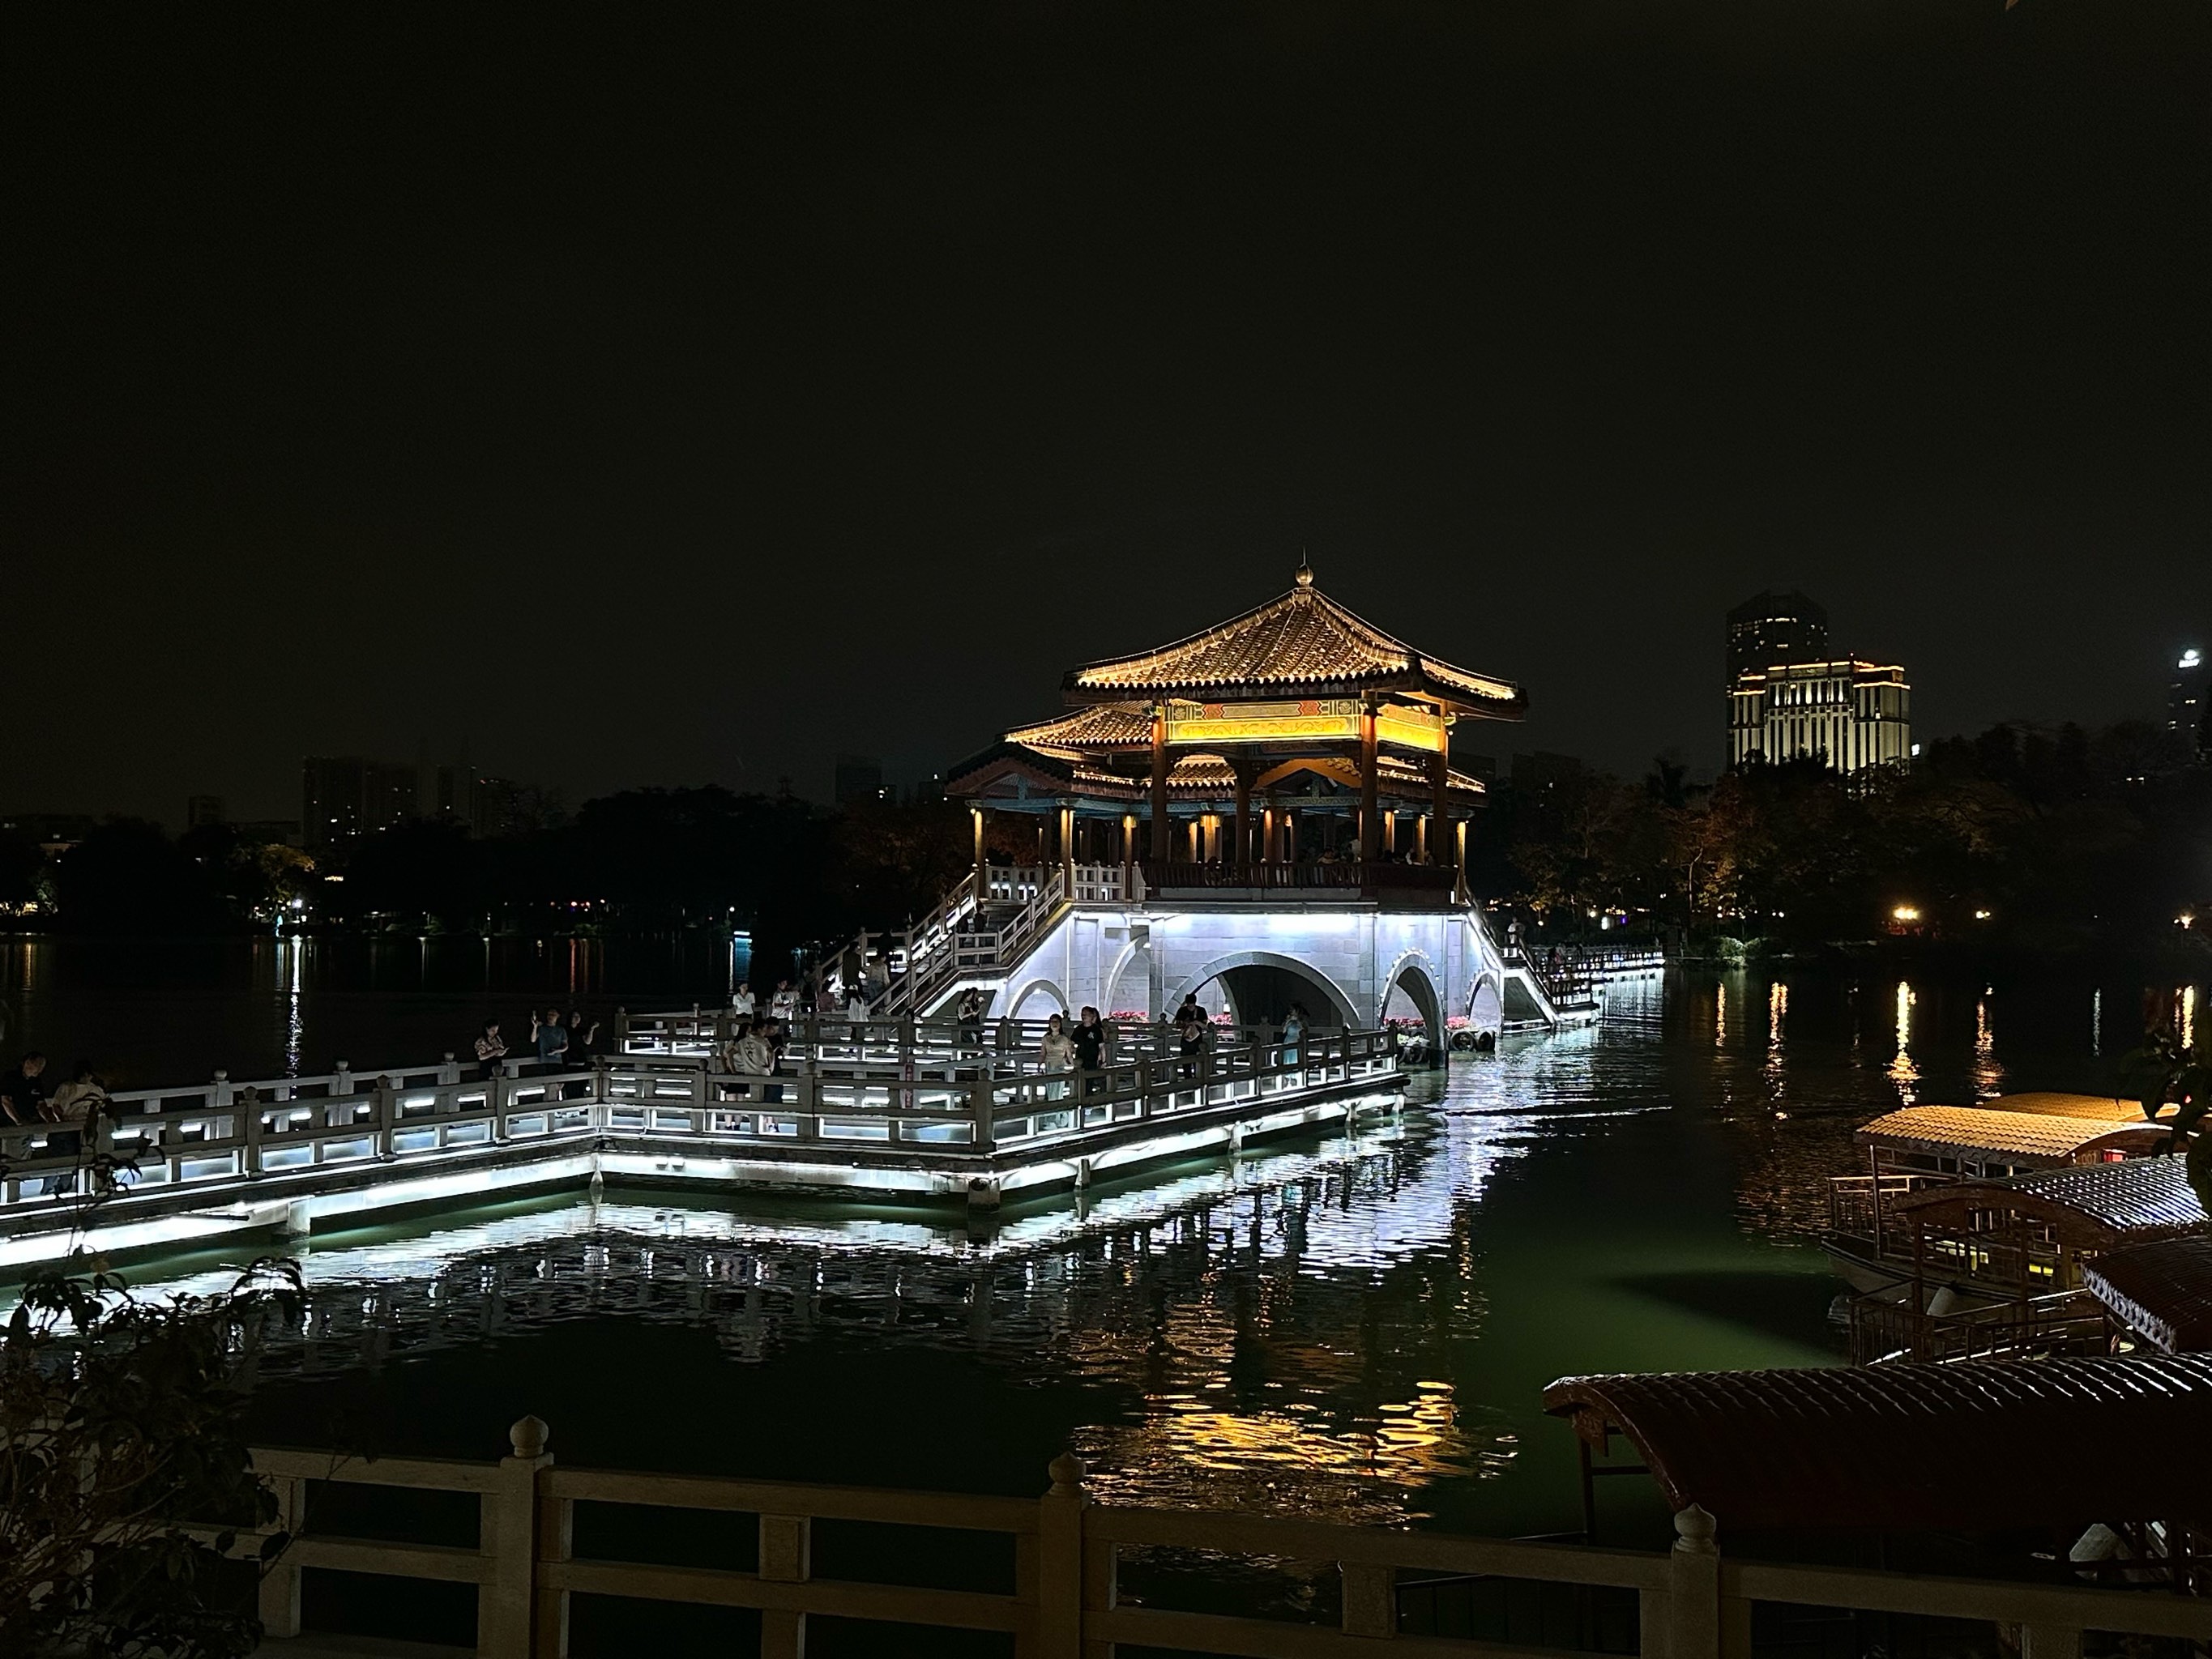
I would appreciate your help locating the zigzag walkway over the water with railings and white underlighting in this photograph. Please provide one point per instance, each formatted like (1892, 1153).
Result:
(897, 1109)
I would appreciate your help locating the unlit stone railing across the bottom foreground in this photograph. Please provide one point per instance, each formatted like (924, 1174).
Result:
(1065, 1556)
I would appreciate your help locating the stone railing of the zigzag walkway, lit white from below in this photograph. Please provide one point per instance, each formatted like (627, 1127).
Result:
(943, 1094)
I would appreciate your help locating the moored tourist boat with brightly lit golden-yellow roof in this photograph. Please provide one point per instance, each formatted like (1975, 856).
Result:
(1928, 1147)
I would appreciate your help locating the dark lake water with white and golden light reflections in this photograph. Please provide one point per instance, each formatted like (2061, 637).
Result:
(1350, 1328)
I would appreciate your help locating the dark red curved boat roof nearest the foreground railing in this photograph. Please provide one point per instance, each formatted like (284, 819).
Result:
(1981, 1446)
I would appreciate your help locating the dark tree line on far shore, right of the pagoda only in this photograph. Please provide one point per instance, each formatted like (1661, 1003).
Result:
(2045, 839)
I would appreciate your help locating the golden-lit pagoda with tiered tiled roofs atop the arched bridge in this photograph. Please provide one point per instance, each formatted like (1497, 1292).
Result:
(1295, 738)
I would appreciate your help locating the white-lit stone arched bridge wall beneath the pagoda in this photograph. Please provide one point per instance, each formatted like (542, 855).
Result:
(1348, 954)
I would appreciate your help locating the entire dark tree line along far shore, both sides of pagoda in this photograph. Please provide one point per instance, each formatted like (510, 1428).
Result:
(2045, 839)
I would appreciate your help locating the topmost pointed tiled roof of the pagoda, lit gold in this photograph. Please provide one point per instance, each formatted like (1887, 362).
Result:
(1300, 645)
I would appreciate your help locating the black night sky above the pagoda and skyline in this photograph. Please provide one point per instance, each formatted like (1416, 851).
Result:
(665, 397)
